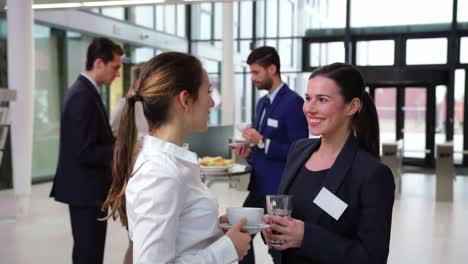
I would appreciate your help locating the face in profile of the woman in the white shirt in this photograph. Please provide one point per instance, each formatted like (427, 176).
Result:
(201, 107)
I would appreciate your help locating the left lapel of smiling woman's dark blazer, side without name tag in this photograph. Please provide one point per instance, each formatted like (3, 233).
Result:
(295, 165)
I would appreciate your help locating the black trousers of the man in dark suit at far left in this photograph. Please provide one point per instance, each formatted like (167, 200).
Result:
(89, 234)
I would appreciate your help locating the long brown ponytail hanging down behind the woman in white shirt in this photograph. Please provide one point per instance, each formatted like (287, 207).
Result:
(122, 164)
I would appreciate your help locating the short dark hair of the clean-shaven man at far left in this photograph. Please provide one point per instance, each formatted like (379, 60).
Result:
(102, 48)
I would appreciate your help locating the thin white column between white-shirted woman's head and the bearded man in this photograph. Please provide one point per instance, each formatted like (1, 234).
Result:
(227, 67)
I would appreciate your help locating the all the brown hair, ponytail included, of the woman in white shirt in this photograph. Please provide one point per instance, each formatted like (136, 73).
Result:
(161, 79)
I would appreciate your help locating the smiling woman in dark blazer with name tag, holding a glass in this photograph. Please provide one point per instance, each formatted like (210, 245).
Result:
(342, 194)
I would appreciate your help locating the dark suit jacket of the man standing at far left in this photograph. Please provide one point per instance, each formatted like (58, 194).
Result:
(84, 173)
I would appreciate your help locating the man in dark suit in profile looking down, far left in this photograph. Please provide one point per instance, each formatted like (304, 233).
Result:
(84, 174)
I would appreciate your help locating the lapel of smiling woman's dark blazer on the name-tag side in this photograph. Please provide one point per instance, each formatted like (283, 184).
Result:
(338, 171)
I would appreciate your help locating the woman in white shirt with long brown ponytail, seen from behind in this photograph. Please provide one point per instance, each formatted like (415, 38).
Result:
(157, 191)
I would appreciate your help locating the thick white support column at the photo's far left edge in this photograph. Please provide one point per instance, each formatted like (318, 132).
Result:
(20, 21)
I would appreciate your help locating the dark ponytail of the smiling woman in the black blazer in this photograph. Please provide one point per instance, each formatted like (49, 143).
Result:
(366, 126)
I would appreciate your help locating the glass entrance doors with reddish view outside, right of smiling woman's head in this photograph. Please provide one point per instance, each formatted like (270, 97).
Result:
(408, 114)
